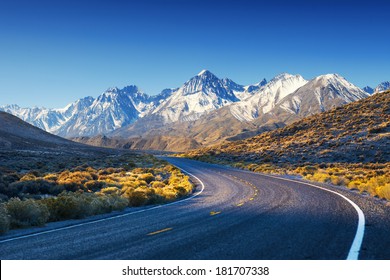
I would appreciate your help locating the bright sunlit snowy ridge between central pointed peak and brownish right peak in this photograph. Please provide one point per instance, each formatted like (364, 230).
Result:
(264, 99)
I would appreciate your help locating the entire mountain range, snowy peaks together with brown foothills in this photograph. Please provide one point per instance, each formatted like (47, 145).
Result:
(205, 110)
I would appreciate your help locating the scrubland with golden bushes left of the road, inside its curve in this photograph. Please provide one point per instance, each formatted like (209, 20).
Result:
(75, 187)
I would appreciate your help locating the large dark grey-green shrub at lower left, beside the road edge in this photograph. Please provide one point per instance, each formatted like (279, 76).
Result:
(25, 213)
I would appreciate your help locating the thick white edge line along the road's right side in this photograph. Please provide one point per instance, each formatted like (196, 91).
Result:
(353, 253)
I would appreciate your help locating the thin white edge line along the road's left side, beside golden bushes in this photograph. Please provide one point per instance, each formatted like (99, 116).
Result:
(110, 218)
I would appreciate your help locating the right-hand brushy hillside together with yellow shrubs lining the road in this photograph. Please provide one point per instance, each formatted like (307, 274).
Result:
(346, 146)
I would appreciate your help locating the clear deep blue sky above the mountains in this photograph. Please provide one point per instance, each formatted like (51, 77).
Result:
(55, 52)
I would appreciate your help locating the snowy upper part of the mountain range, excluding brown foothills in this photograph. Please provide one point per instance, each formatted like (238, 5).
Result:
(201, 94)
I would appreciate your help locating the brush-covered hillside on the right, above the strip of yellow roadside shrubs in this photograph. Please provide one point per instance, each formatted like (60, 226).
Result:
(354, 133)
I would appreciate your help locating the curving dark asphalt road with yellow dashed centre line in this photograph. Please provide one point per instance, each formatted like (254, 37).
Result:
(238, 215)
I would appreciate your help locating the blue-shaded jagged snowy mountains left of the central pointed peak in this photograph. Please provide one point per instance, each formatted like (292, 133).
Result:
(89, 116)
